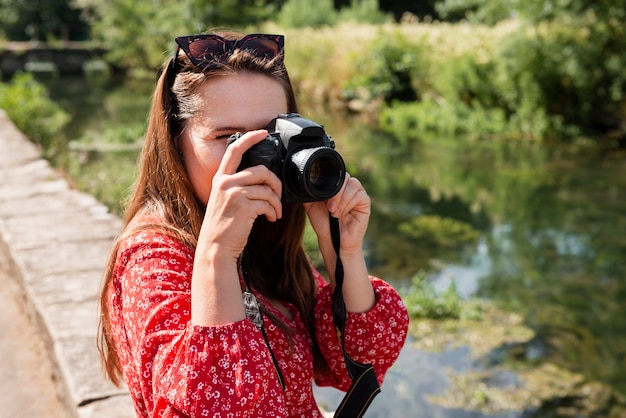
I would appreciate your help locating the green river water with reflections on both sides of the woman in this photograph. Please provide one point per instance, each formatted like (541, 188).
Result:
(549, 244)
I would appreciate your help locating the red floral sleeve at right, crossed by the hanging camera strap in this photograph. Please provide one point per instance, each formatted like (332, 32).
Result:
(374, 337)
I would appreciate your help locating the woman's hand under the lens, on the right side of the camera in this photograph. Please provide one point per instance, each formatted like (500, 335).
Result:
(352, 207)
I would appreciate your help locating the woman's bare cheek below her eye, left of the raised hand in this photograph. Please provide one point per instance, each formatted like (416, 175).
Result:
(201, 162)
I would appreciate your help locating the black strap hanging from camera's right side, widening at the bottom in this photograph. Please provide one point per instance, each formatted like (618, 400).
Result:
(364, 385)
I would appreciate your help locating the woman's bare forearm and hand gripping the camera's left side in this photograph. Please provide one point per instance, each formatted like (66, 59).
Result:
(235, 201)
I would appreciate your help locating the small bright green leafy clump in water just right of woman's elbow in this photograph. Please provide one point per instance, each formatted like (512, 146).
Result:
(424, 302)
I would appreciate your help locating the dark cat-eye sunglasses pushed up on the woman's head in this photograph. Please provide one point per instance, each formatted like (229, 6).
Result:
(209, 50)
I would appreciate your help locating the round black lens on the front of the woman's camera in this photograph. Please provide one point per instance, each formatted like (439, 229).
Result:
(317, 173)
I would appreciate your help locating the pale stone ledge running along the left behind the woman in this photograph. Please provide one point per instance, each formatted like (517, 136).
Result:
(54, 242)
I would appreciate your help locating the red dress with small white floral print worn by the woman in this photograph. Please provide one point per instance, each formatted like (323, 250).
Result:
(176, 369)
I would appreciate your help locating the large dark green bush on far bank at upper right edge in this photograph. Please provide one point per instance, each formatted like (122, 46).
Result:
(568, 72)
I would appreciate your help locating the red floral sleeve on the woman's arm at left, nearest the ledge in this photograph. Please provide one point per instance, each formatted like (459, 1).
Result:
(181, 369)
